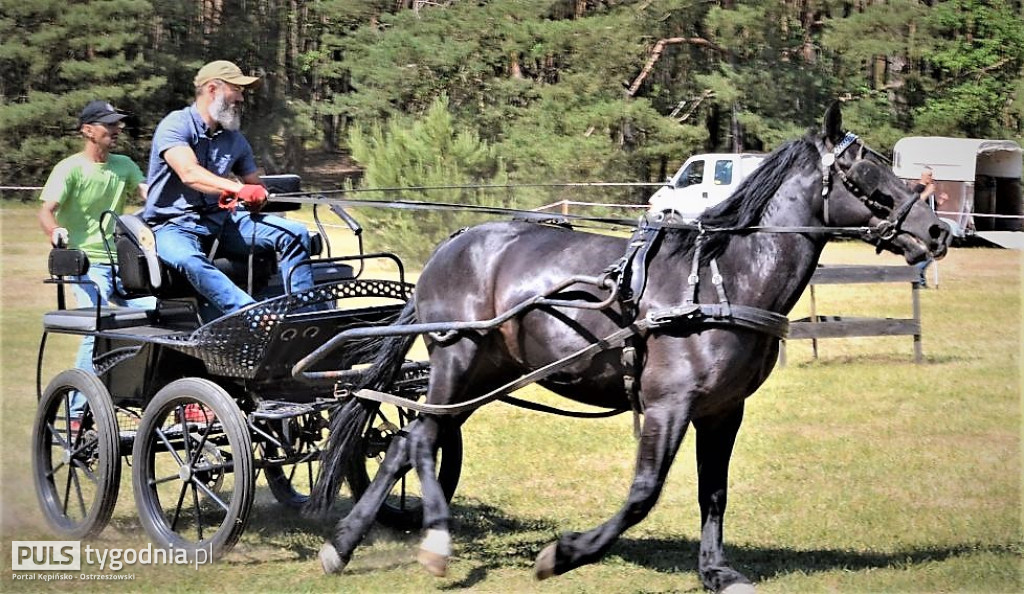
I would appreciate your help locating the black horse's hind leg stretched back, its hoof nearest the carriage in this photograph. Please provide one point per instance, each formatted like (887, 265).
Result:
(336, 554)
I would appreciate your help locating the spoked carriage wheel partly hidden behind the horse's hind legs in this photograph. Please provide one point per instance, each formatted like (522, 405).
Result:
(404, 507)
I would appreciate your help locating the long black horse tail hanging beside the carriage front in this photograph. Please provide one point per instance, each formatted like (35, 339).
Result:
(349, 421)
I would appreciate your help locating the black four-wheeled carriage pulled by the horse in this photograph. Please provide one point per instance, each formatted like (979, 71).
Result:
(199, 411)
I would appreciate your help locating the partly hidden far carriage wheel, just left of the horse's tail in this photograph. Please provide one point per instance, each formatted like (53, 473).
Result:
(291, 484)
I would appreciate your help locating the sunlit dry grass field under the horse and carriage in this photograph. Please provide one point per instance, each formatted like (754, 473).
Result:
(857, 473)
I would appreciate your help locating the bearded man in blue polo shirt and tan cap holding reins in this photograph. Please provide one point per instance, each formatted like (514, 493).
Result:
(197, 155)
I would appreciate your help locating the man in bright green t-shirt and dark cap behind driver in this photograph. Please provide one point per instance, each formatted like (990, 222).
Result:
(78, 192)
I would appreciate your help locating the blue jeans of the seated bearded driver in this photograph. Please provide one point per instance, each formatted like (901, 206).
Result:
(183, 247)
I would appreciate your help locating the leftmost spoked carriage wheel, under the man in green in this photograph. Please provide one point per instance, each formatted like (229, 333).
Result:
(77, 462)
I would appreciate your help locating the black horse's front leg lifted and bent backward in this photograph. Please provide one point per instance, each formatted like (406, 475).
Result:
(664, 429)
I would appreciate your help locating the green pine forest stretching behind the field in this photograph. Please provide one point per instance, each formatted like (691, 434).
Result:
(401, 94)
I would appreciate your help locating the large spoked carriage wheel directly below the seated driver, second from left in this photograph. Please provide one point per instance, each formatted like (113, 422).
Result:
(193, 469)
